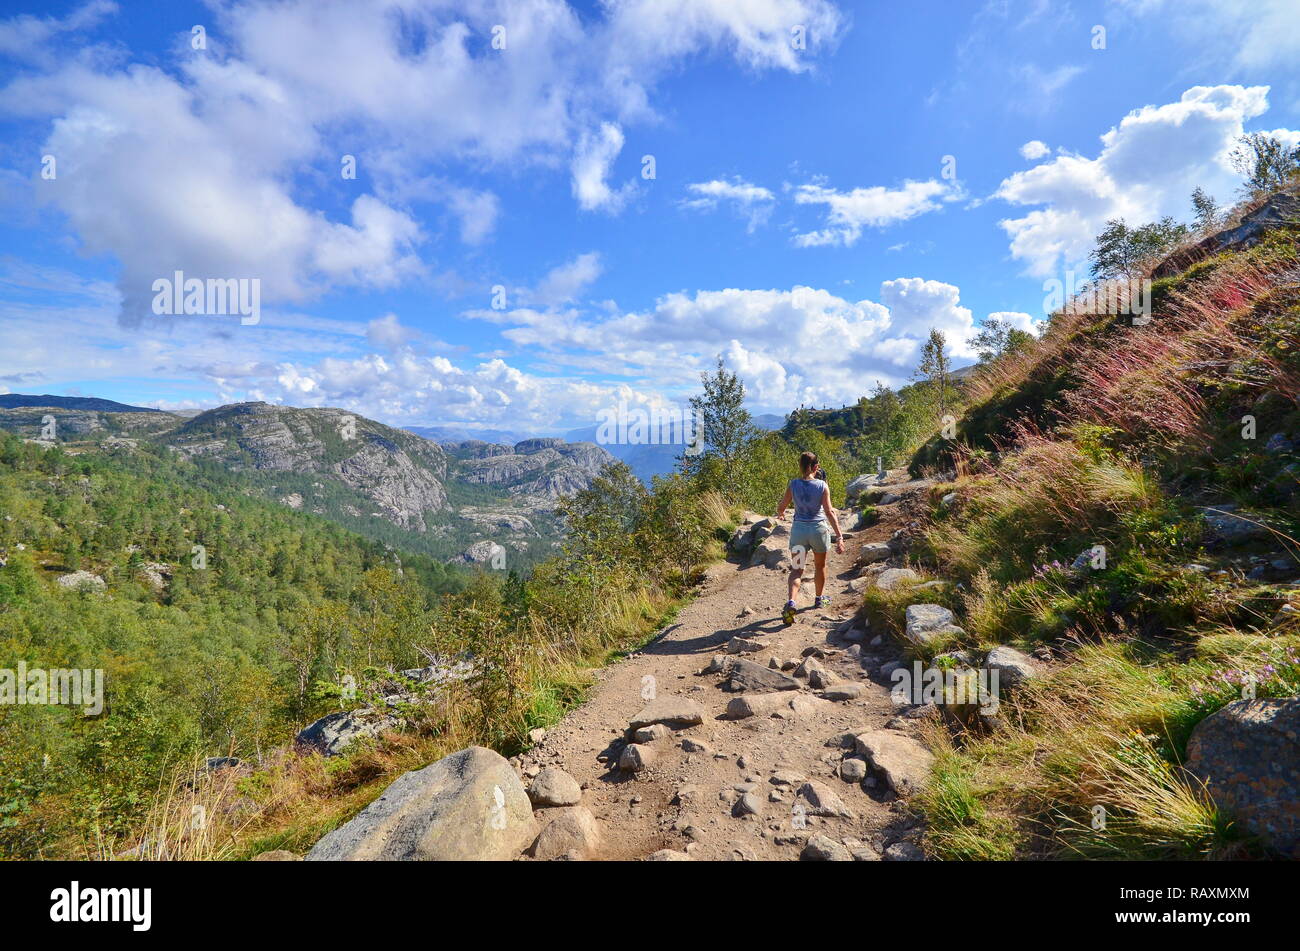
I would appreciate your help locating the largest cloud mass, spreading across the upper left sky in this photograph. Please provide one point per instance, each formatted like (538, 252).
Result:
(198, 163)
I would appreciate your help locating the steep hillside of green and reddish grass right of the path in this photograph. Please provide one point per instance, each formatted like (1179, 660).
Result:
(1173, 448)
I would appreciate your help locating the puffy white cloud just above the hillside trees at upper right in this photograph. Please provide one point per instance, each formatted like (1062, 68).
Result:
(1147, 168)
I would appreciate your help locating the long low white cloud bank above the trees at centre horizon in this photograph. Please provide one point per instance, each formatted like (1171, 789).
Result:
(794, 346)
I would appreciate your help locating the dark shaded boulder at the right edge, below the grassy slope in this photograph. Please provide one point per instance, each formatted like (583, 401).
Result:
(1249, 755)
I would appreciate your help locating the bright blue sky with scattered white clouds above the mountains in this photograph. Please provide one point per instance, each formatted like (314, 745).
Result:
(816, 207)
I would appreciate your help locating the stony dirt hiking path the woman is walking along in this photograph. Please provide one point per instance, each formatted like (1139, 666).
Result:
(766, 744)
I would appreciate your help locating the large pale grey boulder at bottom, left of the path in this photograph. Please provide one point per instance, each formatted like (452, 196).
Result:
(466, 807)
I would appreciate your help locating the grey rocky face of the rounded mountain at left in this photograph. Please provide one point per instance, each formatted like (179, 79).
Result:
(401, 474)
